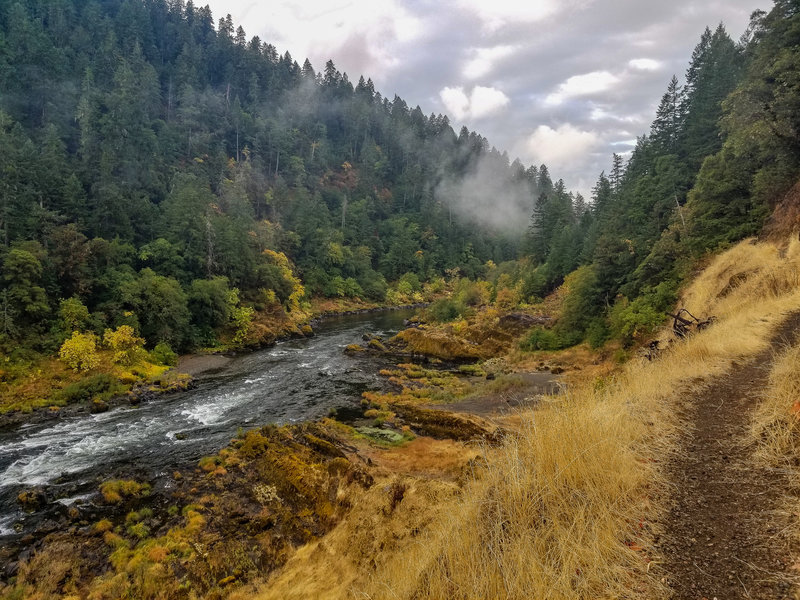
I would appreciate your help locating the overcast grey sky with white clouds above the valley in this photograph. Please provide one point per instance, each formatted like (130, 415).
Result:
(564, 82)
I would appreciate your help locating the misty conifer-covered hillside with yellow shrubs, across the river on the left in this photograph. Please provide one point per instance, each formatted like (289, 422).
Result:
(153, 161)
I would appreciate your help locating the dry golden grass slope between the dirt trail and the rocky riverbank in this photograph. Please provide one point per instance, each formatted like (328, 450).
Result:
(563, 508)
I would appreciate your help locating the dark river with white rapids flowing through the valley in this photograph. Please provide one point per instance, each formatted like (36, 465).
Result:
(294, 381)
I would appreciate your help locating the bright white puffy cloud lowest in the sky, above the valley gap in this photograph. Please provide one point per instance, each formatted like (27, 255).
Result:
(565, 146)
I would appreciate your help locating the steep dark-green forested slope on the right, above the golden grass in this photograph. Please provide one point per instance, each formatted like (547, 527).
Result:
(722, 151)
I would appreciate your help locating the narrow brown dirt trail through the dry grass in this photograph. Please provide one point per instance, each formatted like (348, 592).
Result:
(723, 537)
